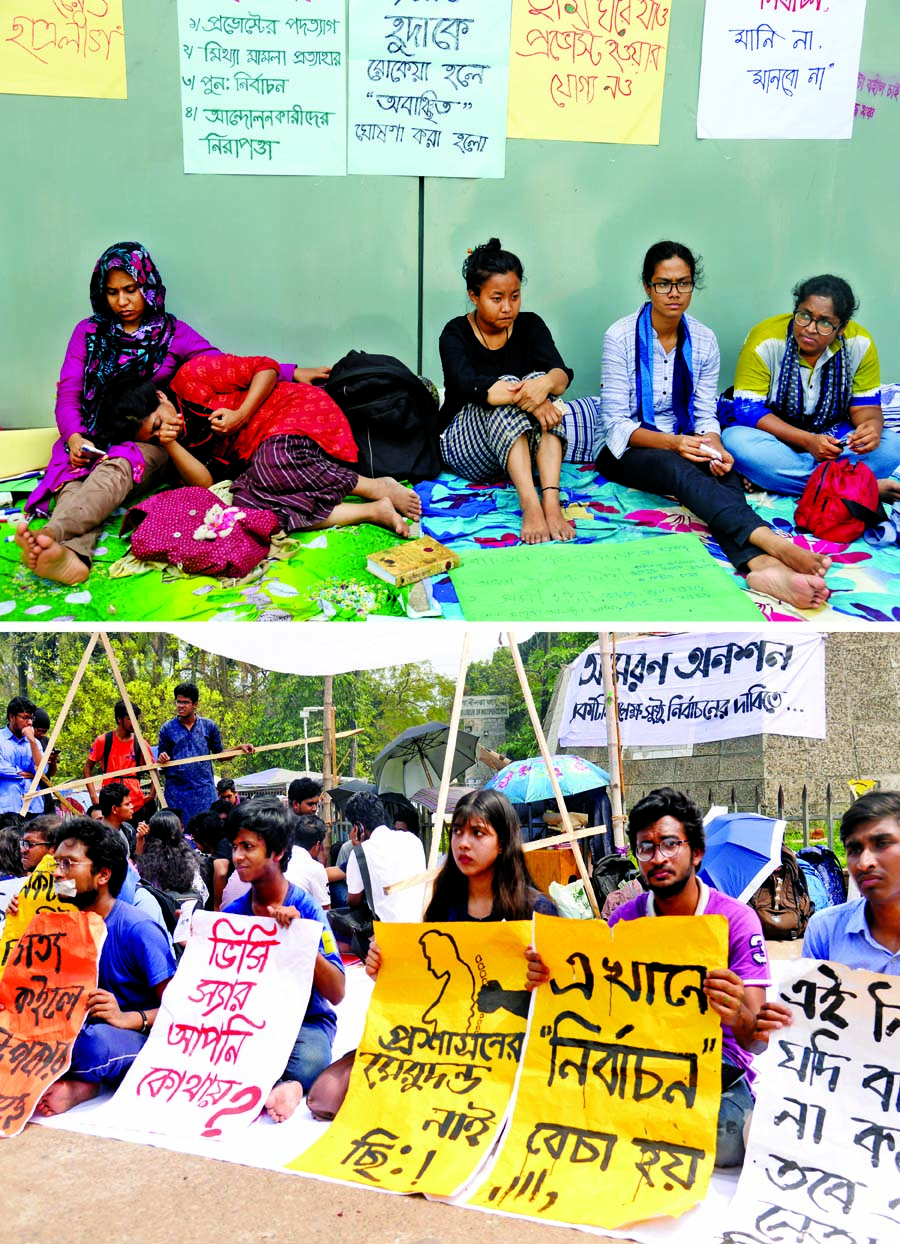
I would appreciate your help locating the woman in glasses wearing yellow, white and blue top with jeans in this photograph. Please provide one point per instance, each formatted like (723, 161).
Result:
(809, 391)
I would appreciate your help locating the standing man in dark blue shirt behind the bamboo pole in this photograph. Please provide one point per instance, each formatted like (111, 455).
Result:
(191, 789)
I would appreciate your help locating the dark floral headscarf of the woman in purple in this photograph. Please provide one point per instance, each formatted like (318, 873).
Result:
(111, 351)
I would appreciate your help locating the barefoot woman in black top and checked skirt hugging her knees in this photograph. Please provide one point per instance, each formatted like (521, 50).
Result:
(501, 371)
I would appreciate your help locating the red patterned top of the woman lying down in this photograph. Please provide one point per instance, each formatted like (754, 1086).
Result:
(218, 383)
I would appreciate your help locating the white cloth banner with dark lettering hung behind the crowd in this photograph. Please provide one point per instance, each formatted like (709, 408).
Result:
(693, 689)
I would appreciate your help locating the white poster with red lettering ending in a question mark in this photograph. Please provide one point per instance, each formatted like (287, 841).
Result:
(226, 1028)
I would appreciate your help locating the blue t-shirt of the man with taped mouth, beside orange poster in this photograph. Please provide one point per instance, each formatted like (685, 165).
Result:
(136, 957)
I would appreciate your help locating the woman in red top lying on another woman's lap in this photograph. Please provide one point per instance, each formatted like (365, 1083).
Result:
(288, 447)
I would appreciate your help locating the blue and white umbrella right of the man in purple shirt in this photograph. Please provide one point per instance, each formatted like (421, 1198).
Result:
(743, 850)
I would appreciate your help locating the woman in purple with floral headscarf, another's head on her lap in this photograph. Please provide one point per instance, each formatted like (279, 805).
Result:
(130, 337)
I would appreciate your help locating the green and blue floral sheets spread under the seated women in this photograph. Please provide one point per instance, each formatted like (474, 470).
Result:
(327, 578)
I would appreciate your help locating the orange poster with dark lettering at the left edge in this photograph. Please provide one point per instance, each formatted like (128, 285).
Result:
(43, 1005)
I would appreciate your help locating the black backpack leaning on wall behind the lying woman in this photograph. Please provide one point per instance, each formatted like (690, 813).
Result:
(391, 414)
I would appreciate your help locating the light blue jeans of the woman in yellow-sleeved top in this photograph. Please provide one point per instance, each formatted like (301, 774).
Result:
(776, 467)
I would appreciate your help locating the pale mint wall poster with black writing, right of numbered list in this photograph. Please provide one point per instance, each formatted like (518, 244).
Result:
(429, 90)
